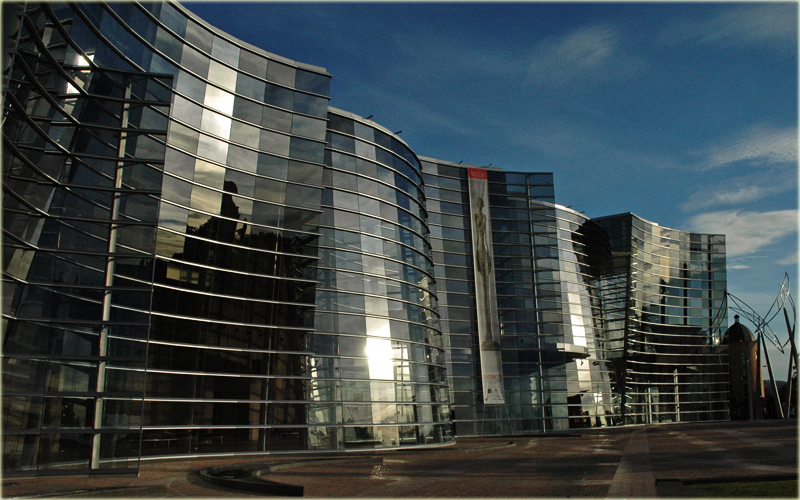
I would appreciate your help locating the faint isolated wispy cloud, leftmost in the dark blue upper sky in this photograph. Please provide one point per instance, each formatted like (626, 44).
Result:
(594, 52)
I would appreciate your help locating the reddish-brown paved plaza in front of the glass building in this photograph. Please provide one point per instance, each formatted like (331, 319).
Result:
(626, 462)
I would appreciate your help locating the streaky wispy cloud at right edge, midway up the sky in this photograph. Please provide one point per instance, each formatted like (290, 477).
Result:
(764, 144)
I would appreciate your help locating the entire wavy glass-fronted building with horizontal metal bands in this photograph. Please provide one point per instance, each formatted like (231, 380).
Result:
(202, 257)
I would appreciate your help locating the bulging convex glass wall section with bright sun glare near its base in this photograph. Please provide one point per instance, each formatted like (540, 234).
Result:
(378, 375)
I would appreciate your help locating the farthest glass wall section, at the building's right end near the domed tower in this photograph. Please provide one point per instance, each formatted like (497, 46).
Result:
(664, 295)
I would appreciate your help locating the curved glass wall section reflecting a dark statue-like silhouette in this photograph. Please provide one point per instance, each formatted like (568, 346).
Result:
(236, 248)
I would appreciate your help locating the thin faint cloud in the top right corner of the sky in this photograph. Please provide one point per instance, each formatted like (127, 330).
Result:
(772, 26)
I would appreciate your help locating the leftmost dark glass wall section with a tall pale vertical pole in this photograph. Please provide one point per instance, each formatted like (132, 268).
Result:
(84, 129)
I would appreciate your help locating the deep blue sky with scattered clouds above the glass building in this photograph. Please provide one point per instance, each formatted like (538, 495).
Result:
(683, 113)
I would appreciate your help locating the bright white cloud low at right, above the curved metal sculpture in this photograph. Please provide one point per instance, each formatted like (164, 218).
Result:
(746, 232)
